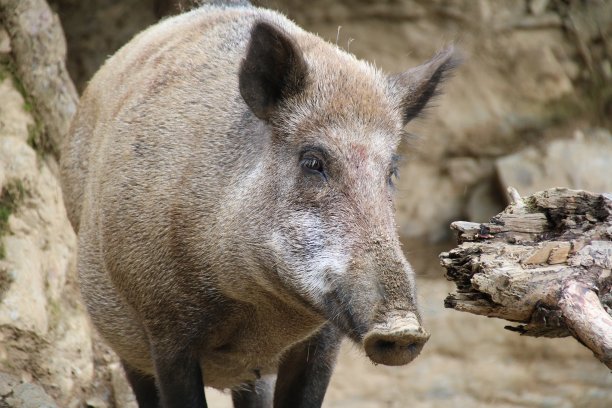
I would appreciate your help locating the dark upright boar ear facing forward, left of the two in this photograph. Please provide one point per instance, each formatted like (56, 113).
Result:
(273, 69)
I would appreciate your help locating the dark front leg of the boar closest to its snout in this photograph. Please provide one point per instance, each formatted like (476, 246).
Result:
(304, 373)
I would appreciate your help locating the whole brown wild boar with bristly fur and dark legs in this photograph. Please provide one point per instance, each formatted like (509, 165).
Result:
(230, 177)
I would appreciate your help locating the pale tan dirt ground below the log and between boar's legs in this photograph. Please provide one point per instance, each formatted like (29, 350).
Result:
(470, 361)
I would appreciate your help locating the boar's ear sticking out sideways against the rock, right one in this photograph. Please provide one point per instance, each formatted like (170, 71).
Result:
(415, 88)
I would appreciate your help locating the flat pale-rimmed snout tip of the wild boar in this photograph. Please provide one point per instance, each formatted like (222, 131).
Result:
(395, 341)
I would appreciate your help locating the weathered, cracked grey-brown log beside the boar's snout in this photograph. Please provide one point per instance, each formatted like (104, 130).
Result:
(545, 262)
